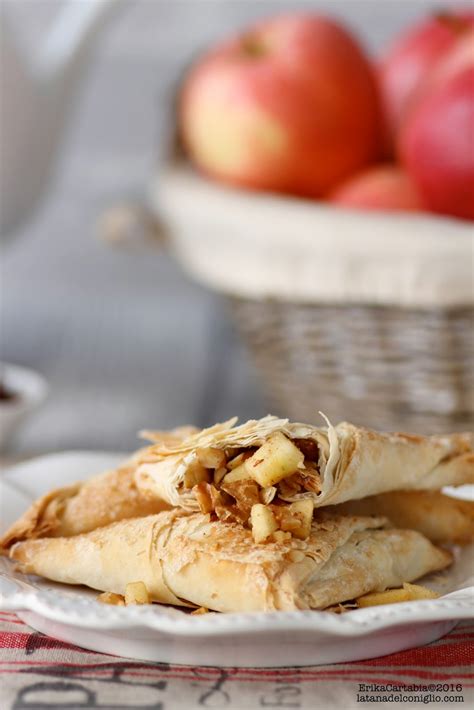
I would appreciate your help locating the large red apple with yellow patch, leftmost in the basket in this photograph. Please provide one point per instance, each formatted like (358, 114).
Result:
(290, 105)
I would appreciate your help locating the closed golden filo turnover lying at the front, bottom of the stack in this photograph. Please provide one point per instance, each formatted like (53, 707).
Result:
(192, 560)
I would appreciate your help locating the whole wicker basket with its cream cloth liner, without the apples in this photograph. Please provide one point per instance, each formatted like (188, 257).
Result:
(368, 318)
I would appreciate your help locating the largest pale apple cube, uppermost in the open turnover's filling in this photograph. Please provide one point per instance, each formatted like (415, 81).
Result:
(277, 458)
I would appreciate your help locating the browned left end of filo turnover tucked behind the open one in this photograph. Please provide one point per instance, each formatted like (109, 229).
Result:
(81, 507)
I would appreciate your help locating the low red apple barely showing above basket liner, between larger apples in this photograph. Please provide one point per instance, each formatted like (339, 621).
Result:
(384, 187)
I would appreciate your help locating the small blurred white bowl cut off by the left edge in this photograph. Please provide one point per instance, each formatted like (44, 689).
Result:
(29, 390)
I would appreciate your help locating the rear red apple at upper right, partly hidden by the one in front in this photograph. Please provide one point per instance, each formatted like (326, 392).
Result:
(410, 61)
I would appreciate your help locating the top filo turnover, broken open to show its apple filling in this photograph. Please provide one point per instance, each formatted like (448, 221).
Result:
(291, 461)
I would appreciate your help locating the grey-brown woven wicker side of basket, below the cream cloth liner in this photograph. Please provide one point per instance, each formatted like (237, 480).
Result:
(385, 367)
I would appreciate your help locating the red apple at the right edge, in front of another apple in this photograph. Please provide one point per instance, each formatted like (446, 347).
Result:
(437, 145)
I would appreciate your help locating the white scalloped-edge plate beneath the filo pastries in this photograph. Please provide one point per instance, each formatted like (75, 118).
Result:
(86, 614)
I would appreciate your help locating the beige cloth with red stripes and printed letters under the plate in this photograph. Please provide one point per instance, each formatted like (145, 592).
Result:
(39, 672)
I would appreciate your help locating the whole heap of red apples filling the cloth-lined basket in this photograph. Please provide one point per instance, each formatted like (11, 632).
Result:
(294, 105)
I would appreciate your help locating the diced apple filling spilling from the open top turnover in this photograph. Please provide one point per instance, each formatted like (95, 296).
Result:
(233, 483)
